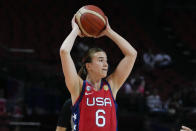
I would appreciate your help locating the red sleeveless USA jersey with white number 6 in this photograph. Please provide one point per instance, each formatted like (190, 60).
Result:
(95, 110)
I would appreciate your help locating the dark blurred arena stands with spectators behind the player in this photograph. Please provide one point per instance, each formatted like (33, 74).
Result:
(160, 93)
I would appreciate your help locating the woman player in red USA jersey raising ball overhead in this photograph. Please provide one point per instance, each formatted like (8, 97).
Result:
(93, 96)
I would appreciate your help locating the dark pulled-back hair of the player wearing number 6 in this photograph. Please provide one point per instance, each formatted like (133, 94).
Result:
(86, 59)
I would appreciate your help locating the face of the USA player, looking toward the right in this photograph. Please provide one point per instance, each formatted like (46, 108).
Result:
(99, 65)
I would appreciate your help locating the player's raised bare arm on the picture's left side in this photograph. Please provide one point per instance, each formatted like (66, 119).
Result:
(72, 79)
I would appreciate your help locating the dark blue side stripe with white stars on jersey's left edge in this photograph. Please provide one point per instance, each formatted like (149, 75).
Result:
(76, 109)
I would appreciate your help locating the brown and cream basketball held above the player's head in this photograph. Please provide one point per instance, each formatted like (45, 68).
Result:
(91, 20)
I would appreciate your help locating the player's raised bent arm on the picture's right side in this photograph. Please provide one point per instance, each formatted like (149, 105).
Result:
(122, 71)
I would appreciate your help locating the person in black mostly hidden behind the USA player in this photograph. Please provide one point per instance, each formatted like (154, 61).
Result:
(65, 119)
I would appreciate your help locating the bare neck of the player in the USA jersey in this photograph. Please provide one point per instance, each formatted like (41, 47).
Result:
(95, 82)
